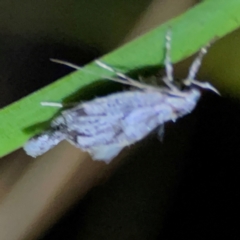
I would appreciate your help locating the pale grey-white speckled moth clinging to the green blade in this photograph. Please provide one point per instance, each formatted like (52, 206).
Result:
(104, 126)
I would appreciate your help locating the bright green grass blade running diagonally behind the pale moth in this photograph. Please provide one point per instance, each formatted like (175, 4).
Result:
(195, 28)
